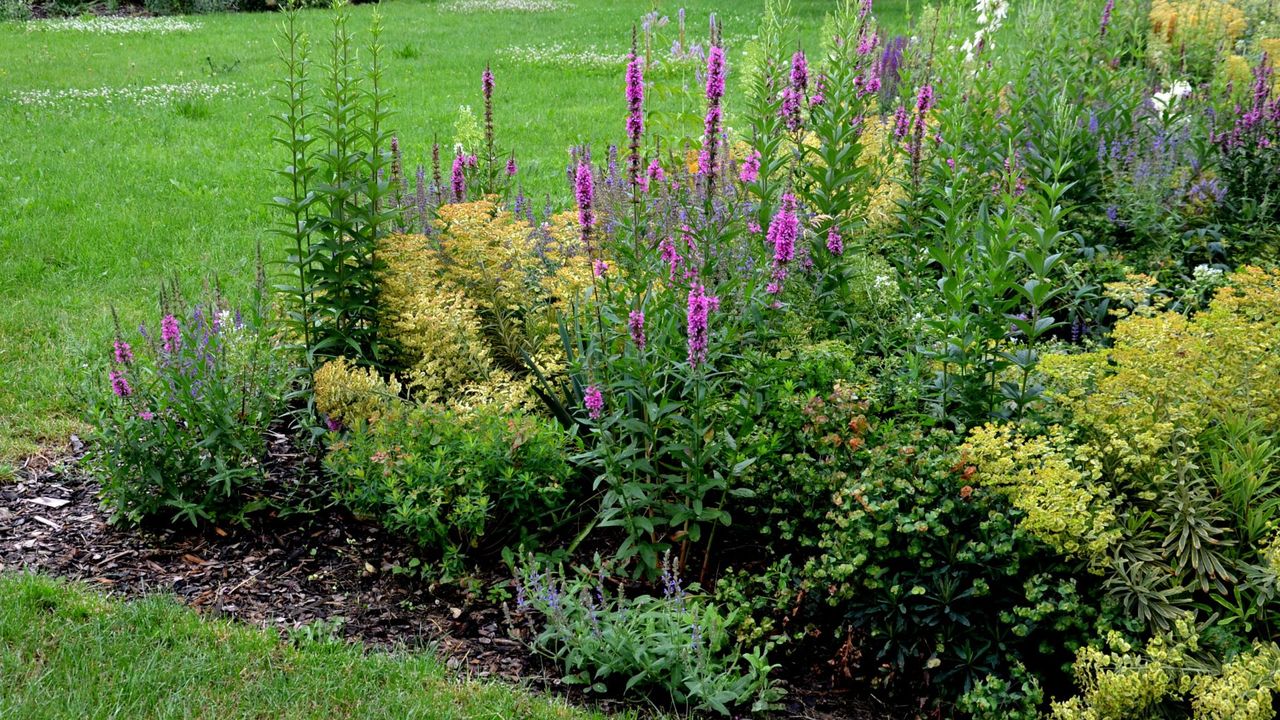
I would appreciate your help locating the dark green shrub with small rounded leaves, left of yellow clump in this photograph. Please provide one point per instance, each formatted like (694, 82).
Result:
(936, 572)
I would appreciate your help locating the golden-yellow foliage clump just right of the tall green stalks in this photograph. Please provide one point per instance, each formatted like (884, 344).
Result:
(469, 306)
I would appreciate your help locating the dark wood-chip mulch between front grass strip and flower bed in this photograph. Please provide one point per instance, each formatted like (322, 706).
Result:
(305, 572)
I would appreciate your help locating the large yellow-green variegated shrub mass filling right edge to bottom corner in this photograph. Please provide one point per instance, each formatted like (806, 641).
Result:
(1171, 486)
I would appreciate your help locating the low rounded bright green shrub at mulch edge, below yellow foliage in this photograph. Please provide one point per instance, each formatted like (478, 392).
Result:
(451, 481)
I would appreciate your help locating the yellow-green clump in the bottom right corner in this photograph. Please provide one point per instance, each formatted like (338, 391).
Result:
(1121, 683)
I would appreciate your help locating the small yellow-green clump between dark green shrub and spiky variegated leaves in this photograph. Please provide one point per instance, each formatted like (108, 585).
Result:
(1055, 486)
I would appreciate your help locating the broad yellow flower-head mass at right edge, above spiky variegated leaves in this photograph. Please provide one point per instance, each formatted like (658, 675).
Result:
(1168, 377)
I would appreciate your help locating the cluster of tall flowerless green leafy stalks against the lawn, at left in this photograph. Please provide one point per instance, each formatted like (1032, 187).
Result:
(336, 209)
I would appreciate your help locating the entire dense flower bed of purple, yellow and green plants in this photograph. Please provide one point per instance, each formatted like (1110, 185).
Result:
(950, 362)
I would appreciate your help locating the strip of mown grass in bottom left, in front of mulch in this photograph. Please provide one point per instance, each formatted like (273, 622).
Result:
(70, 653)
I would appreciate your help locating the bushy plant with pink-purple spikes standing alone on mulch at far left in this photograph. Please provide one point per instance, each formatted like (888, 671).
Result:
(180, 426)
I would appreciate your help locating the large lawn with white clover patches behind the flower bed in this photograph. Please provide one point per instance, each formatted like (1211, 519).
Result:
(103, 202)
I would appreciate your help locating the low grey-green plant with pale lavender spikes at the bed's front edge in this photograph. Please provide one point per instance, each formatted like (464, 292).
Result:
(674, 649)
